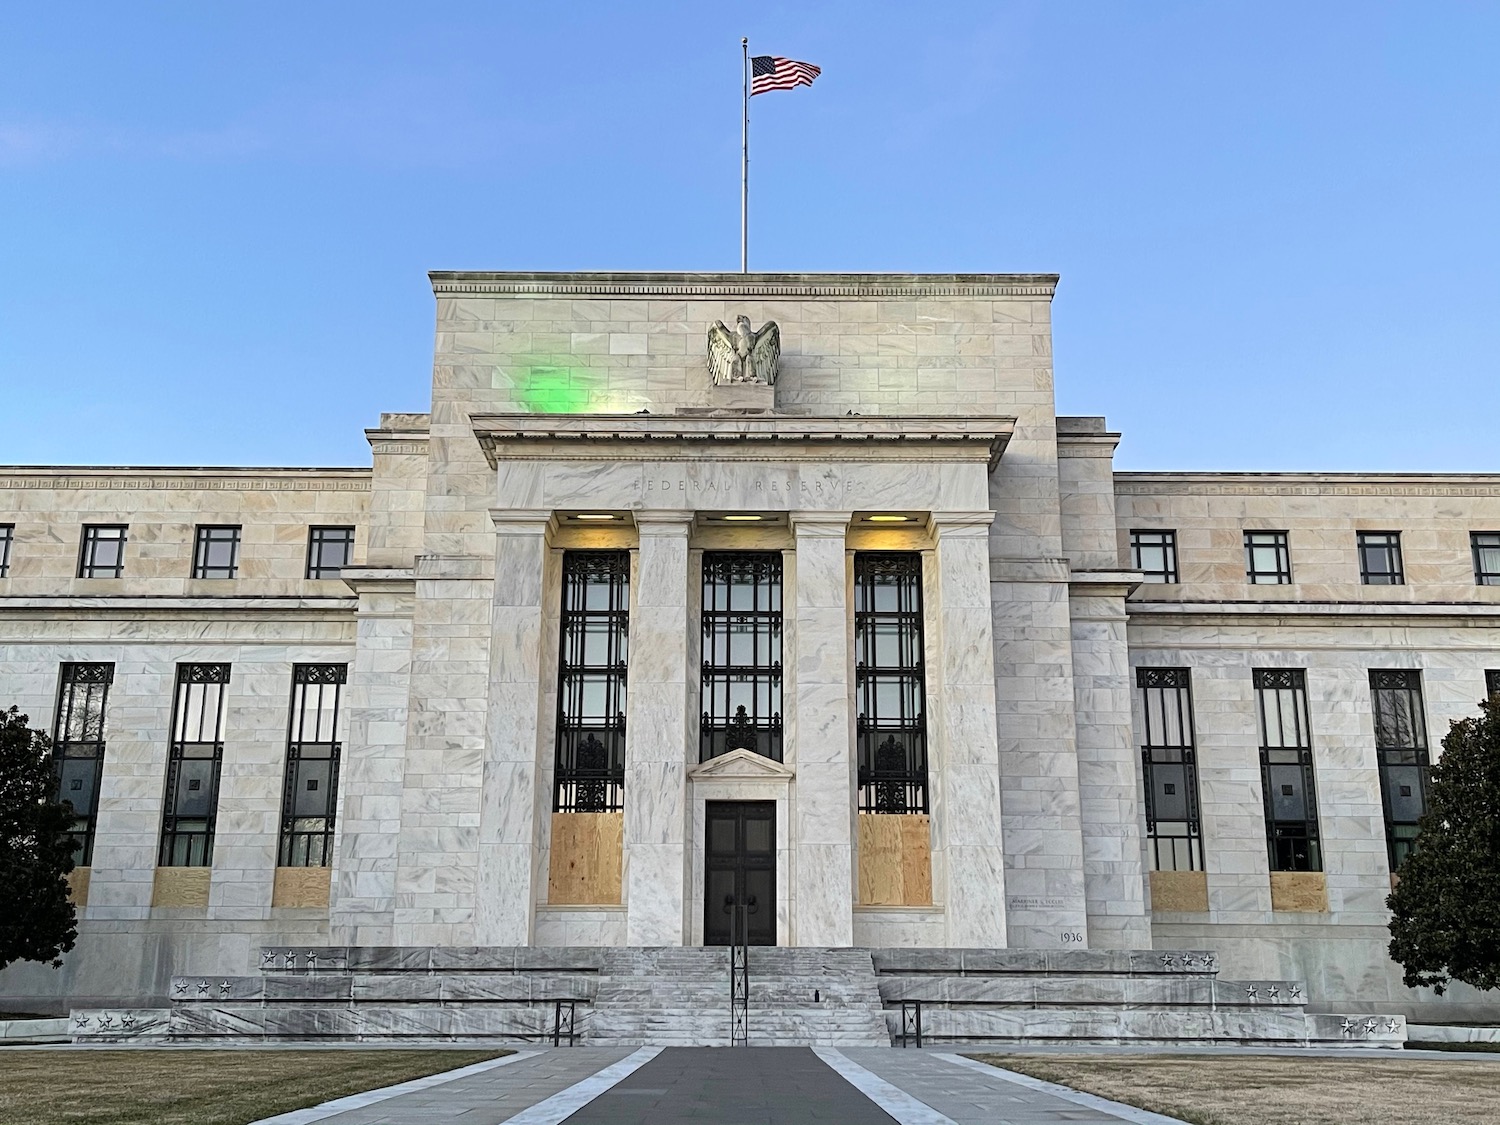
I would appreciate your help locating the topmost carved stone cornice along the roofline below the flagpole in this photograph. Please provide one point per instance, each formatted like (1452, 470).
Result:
(796, 286)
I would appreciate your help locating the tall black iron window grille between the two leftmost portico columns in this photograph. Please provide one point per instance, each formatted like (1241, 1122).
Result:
(590, 769)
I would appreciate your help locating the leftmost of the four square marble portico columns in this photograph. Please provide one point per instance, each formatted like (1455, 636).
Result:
(505, 893)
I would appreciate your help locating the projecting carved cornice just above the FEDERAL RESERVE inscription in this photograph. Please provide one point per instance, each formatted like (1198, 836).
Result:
(653, 437)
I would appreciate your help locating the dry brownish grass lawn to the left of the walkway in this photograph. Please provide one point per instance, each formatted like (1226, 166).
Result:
(199, 1087)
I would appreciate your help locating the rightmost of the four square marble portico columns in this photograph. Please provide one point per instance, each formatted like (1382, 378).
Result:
(970, 773)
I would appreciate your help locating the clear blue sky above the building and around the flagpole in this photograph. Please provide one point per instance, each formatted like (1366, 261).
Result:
(1277, 224)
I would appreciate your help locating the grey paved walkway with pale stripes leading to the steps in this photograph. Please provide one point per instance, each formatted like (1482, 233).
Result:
(727, 1087)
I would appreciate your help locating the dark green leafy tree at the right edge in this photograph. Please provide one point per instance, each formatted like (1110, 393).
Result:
(1445, 910)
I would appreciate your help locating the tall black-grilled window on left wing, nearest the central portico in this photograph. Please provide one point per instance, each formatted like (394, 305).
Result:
(310, 799)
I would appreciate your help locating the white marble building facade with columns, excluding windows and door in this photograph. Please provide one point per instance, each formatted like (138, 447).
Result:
(562, 395)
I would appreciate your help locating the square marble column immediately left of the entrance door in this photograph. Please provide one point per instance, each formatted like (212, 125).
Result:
(656, 736)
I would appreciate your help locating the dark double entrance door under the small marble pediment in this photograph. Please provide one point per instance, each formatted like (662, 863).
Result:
(740, 868)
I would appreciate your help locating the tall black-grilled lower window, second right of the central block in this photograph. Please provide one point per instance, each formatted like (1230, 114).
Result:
(1286, 770)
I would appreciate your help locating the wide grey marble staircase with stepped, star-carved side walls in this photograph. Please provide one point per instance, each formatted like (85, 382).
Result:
(680, 997)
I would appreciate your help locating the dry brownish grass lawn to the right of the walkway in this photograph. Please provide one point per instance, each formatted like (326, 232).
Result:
(1259, 1090)
